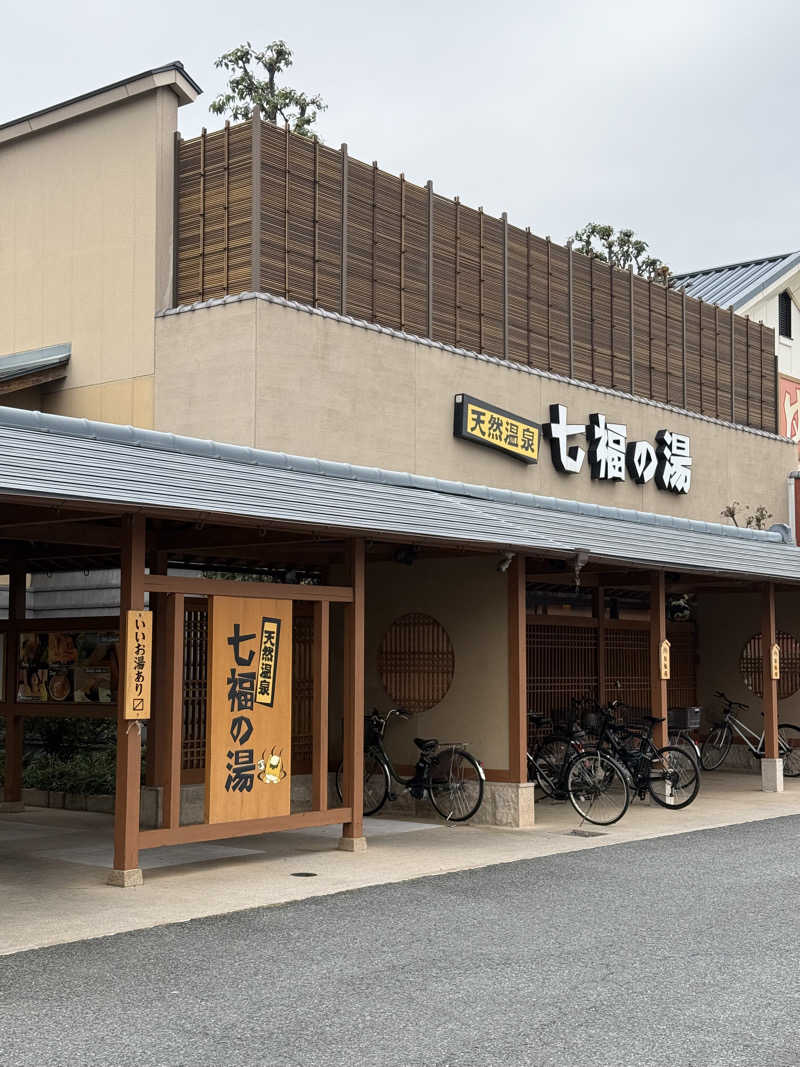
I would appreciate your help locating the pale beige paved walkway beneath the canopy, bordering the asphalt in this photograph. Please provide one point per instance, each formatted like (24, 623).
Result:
(54, 864)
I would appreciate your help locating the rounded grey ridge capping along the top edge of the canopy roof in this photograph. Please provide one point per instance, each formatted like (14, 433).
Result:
(158, 441)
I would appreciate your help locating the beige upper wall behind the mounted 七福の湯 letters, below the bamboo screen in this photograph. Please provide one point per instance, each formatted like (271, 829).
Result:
(263, 375)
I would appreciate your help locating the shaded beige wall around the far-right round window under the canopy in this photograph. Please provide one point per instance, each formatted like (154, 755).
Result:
(726, 623)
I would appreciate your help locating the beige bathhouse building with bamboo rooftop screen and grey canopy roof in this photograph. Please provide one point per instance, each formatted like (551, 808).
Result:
(503, 464)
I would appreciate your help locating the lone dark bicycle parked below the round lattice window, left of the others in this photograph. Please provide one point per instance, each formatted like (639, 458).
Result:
(452, 777)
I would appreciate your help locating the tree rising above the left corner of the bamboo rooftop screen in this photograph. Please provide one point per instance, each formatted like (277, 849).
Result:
(249, 90)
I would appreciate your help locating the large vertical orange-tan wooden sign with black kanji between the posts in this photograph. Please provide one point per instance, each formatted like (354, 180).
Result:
(249, 729)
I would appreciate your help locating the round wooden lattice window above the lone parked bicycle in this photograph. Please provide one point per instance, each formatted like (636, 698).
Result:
(417, 662)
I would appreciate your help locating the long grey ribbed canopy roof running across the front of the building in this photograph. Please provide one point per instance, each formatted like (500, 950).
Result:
(53, 457)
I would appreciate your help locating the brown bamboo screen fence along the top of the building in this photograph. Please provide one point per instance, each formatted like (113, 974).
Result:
(339, 234)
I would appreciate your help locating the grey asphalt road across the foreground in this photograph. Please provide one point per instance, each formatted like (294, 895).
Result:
(678, 952)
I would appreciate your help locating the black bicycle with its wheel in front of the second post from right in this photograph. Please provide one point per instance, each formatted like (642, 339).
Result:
(669, 775)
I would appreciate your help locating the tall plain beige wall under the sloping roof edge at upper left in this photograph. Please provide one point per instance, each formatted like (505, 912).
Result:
(86, 252)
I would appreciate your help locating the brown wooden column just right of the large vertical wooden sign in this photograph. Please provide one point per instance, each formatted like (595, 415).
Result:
(354, 757)
